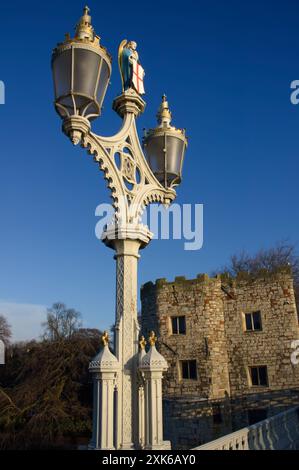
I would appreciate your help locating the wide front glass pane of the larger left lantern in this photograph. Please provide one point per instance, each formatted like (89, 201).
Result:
(86, 68)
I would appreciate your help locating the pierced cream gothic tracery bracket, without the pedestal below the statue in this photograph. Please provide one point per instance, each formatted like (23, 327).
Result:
(132, 183)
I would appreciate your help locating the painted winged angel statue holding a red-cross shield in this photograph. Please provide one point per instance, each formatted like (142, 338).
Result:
(132, 73)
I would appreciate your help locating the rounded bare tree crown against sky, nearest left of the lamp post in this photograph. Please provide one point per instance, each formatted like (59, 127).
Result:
(61, 323)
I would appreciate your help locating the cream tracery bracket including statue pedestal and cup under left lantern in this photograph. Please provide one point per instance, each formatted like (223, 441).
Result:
(132, 183)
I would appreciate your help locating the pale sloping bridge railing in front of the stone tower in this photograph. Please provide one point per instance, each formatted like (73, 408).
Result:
(280, 432)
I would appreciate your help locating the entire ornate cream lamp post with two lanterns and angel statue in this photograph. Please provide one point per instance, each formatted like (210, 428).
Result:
(81, 72)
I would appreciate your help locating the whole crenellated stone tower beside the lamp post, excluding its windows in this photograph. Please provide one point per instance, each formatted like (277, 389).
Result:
(221, 398)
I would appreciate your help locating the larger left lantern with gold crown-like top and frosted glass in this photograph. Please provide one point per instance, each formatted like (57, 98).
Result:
(81, 72)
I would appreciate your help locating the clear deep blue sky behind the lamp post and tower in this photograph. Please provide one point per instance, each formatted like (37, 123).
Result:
(226, 68)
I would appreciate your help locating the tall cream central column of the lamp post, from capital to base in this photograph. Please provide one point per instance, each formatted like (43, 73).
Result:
(127, 331)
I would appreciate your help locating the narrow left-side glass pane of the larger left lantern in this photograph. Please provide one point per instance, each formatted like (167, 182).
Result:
(62, 68)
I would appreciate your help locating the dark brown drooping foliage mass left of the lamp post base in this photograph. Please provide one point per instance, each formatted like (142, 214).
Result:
(45, 392)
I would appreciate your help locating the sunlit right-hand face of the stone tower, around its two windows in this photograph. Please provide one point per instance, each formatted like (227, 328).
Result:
(271, 346)
